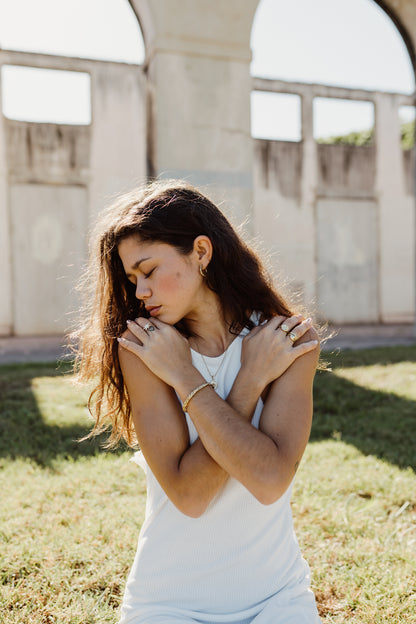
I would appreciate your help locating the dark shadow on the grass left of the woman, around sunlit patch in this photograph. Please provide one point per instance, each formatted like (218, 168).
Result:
(23, 430)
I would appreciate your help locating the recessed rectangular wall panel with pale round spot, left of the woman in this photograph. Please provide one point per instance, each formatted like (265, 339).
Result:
(49, 226)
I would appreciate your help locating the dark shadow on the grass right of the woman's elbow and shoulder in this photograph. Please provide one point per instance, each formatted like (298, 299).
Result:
(377, 423)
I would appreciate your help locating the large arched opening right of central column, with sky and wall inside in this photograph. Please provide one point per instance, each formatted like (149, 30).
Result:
(336, 190)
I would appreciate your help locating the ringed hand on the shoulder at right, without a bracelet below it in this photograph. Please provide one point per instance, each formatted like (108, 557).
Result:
(268, 351)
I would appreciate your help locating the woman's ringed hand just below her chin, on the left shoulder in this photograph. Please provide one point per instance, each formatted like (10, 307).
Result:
(164, 350)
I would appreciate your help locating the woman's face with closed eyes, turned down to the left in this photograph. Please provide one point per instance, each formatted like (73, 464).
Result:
(168, 282)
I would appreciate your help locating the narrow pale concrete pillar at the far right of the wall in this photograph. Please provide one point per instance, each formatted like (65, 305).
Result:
(396, 216)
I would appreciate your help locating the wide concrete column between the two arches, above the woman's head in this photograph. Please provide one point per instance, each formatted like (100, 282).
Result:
(198, 58)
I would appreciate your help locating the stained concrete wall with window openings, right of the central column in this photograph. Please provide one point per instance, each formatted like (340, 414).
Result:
(340, 219)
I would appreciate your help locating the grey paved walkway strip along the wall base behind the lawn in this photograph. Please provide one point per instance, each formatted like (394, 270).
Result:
(49, 348)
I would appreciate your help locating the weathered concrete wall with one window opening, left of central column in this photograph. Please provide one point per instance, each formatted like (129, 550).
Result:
(54, 178)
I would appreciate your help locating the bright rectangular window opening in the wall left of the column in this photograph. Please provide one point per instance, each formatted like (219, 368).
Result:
(46, 95)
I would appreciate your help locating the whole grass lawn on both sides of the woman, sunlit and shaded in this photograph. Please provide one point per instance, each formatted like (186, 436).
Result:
(70, 513)
